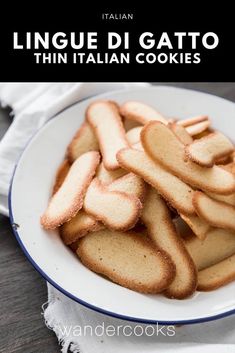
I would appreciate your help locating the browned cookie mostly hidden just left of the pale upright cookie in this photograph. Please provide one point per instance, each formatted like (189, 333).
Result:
(83, 141)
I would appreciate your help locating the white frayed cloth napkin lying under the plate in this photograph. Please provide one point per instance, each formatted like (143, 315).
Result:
(79, 329)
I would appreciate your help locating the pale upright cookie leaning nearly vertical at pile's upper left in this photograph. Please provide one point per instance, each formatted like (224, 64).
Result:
(107, 125)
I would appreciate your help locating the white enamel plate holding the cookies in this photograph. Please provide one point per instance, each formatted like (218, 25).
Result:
(30, 190)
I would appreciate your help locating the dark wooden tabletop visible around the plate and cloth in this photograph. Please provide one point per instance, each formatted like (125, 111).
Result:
(22, 290)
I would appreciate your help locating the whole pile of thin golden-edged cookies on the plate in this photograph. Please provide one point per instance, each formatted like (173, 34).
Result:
(148, 201)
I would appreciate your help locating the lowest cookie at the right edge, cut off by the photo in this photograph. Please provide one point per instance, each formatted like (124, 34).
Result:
(217, 275)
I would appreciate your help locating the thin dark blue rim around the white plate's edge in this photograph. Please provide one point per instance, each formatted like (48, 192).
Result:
(78, 300)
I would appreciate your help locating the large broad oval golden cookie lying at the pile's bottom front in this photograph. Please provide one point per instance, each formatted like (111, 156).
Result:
(127, 259)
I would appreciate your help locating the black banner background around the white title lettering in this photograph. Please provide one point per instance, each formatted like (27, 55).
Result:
(217, 64)
